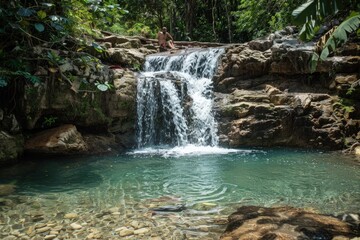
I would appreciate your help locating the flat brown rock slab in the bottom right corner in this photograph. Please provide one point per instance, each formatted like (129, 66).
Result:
(253, 222)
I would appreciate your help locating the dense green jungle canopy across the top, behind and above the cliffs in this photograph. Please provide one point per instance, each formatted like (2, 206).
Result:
(72, 24)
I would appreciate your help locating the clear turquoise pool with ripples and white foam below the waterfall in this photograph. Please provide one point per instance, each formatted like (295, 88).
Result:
(324, 181)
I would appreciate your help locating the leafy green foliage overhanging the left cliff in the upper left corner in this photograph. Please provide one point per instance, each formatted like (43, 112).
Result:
(53, 25)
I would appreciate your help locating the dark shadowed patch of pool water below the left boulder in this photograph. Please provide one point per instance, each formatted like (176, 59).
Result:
(51, 175)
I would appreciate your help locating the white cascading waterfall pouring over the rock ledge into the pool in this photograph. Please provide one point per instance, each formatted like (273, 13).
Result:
(175, 98)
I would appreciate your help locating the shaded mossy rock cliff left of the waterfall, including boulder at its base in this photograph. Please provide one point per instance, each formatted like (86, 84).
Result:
(101, 121)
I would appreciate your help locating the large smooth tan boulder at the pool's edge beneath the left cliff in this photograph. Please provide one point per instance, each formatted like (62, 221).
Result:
(63, 140)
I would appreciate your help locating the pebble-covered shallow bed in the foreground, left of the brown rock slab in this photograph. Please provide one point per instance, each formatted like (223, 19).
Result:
(57, 216)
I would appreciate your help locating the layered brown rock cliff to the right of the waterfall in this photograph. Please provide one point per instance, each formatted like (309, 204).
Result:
(266, 96)
